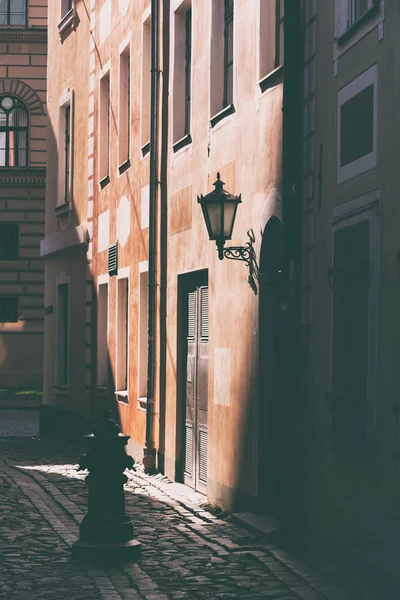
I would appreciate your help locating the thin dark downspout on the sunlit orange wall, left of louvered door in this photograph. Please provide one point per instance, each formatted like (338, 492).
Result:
(149, 449)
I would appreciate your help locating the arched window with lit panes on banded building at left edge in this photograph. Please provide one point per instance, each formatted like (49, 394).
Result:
(13, 132)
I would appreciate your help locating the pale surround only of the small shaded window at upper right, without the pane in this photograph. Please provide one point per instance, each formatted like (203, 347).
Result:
(346, 93)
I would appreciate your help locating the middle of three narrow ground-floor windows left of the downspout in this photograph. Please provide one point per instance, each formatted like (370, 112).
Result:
(122, 337)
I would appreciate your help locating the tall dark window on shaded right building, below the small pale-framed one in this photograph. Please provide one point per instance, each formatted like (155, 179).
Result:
(354, 276)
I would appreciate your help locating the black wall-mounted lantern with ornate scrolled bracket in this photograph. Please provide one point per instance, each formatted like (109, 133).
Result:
(219, 211)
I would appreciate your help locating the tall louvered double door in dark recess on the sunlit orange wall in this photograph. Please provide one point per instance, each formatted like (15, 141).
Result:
(193, 378)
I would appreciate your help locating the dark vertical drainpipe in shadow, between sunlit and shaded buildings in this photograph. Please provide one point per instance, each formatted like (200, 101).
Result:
(292, 215)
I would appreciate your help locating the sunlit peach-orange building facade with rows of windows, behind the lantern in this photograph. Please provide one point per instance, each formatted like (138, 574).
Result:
(140, 313)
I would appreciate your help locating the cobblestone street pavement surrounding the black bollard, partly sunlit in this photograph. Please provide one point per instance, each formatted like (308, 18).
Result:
(186, 551)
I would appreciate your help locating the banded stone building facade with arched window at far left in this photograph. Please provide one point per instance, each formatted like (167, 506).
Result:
(23, 126)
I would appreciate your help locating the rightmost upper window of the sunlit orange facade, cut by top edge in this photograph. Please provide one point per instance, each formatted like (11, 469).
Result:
(271, 36)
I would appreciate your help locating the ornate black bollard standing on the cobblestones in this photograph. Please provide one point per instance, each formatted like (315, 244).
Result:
(106, 532)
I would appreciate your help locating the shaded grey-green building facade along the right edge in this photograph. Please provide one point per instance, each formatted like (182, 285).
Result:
(351, 278)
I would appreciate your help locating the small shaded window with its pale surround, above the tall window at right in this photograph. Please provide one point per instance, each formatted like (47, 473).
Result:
(357, 125)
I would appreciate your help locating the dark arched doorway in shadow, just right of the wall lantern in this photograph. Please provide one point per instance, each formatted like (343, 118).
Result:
(271, 421)
